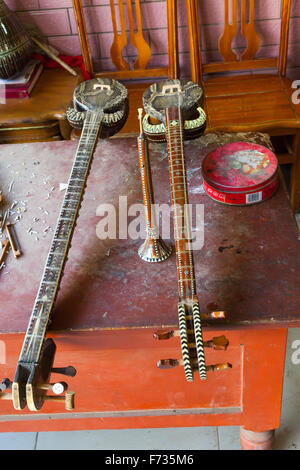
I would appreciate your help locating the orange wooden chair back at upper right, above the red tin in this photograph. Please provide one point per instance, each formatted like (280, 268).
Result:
(232, 62)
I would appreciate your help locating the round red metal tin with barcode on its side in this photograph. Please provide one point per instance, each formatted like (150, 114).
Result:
(240, 173)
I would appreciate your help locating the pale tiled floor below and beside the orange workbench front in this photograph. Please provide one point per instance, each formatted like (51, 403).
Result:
(205, 438)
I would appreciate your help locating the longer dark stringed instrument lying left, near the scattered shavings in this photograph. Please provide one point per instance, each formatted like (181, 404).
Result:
(100, 107)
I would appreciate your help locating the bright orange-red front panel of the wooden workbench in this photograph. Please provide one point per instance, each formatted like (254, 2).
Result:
(118, 384)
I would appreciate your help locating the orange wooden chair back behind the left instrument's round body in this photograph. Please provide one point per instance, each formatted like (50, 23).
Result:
(137, 39)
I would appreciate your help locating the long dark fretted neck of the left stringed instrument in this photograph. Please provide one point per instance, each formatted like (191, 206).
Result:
(60, 245)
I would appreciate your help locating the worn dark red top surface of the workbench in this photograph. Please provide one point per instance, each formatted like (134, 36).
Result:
(249, 265)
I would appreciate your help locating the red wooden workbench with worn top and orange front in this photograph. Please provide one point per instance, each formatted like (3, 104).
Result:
(111, 302)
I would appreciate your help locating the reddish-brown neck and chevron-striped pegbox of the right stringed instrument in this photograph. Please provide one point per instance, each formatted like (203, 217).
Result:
(188, 306)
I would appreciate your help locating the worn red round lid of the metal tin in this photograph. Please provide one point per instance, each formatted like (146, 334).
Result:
(239, 167)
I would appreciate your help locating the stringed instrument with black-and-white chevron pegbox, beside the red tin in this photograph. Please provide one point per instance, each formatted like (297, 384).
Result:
(174, 113)
